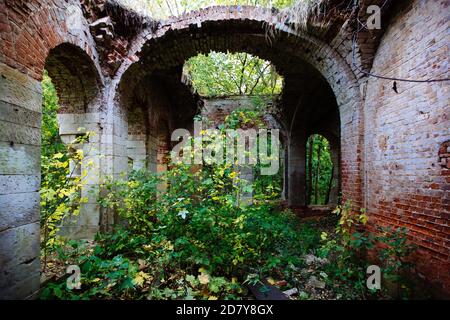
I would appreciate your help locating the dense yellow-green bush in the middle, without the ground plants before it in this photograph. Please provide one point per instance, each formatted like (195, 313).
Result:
(199, 214)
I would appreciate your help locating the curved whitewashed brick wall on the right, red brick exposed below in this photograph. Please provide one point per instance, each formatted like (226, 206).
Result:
(406, 183)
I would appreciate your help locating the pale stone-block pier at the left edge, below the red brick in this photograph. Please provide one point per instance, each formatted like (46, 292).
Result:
(20, 158)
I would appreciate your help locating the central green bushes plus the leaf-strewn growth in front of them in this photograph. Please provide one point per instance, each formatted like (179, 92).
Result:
(194, 241)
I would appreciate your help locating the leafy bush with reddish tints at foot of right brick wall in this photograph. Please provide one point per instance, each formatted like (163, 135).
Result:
(348, 248)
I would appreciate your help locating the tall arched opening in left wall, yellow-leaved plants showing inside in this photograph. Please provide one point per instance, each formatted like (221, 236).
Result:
(70, 147)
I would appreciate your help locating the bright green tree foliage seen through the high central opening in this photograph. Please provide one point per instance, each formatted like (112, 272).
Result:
(220, 74)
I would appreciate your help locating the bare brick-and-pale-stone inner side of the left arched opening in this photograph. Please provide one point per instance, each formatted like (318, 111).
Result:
(78, 86)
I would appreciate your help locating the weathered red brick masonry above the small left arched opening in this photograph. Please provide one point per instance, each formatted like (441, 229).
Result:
(29, 29)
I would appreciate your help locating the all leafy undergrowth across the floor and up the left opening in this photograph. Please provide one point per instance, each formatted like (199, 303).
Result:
(186, 234)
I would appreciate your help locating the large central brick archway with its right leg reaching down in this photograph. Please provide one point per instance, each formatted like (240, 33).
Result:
(308, 64)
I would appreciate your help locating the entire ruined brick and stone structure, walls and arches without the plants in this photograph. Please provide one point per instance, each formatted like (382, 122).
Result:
(119, 74)
